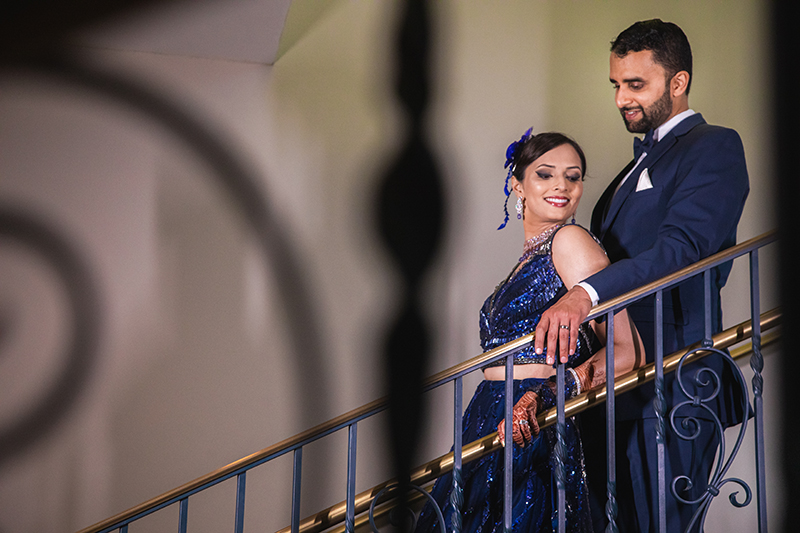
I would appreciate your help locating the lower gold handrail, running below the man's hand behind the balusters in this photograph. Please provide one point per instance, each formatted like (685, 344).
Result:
(433, 469)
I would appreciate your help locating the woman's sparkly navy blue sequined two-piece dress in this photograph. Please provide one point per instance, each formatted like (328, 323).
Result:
(513, 310)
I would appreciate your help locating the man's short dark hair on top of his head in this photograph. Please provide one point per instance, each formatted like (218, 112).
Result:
(666, 40)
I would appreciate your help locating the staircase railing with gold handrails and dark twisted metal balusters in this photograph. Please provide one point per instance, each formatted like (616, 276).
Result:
(355, 504)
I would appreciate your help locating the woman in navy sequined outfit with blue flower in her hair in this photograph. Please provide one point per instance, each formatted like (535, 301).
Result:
(548, 171)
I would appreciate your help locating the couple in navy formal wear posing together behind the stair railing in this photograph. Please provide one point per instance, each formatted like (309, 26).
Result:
(677, 201)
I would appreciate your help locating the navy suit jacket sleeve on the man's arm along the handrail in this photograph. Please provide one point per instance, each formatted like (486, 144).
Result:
(700, 218)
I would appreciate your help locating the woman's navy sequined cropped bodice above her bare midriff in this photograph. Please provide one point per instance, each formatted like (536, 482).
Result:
(517, 304)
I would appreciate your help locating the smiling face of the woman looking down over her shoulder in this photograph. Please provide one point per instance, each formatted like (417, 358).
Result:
(551, 188)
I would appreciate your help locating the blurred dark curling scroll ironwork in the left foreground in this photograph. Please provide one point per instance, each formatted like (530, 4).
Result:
(32, 53)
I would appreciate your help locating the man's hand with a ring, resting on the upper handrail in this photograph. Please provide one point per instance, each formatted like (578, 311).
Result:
(559, 324)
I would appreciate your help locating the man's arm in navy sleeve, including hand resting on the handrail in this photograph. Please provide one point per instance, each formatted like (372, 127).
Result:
(702, 211)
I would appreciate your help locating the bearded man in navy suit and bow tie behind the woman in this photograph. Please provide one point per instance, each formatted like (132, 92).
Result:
(679, 200)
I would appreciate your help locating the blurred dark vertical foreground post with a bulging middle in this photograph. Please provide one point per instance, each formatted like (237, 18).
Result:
(410, 220)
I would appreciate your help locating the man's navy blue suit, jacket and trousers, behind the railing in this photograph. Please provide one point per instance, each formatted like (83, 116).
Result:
(699, 186)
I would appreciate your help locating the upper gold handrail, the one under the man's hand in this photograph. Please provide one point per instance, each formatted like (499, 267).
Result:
(380, 404)
